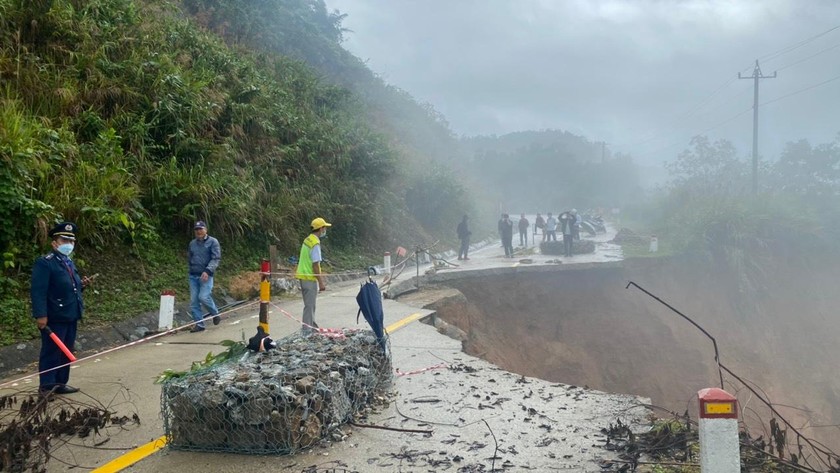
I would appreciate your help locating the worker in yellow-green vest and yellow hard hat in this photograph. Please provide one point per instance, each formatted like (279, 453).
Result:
(309, 272)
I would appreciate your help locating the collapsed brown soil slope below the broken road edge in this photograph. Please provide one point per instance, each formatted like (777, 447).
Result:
(581, 326)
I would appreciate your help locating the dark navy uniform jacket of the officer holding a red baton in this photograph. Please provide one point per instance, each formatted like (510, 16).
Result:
(56, 289)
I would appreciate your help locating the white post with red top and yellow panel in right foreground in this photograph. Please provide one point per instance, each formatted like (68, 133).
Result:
(719, 448)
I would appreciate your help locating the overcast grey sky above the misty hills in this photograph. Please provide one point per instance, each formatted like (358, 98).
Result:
(644, 76)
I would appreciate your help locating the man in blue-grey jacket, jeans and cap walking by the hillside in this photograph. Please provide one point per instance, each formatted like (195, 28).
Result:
(203, 256)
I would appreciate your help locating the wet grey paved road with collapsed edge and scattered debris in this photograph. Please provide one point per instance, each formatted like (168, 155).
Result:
(536, 424)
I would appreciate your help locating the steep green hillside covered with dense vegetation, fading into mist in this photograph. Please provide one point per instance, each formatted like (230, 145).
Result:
(135, 118)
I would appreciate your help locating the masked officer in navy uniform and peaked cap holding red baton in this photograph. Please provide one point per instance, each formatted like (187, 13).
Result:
(57, 303)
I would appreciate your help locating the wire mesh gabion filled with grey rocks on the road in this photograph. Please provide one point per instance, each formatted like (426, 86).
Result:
(277, 401)
